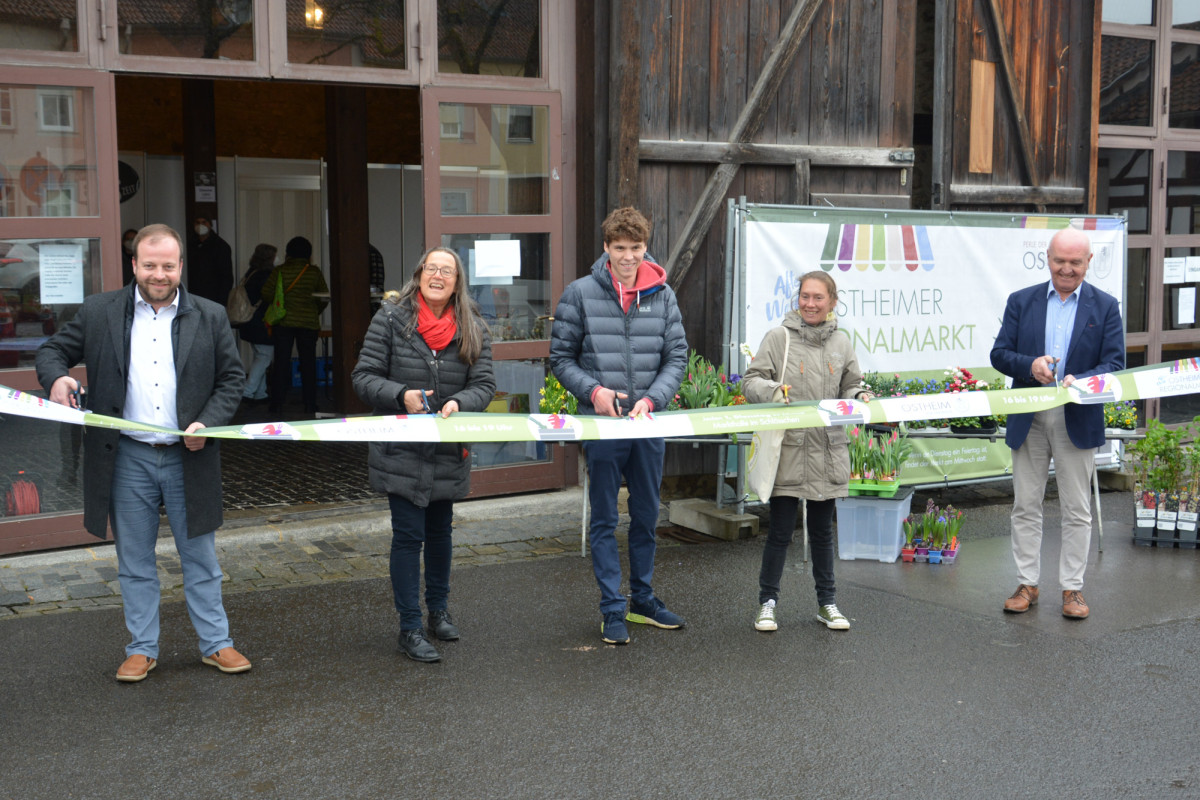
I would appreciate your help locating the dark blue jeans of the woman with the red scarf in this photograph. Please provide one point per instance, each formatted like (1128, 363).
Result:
(412, 528)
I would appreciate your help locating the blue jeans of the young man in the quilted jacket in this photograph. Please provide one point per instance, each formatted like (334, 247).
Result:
(640, 461)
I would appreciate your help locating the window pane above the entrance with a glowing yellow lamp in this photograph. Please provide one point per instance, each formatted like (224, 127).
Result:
(347, 33)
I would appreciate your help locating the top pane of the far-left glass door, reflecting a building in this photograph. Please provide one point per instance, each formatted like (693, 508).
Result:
(47, 153)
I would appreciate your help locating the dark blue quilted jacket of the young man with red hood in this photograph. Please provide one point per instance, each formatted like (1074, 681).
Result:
(595, 344)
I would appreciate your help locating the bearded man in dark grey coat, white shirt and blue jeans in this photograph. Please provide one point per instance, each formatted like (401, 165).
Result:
(158, 356)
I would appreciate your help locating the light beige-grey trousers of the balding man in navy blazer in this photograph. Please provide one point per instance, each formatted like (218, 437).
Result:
(1073, 473)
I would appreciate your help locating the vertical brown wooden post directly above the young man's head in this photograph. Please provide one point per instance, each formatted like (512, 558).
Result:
(625, 105)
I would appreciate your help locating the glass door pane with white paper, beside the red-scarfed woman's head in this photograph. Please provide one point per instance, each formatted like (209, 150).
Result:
(509, 278)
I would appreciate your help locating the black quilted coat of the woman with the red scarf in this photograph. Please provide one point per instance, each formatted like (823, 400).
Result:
(395, 359)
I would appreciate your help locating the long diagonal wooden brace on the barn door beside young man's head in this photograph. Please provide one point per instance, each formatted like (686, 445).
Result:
(764, 93)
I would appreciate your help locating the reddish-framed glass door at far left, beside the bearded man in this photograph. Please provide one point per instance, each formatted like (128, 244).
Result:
(59, 242)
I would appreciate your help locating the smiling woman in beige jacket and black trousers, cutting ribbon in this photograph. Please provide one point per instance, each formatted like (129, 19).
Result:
(814, 464)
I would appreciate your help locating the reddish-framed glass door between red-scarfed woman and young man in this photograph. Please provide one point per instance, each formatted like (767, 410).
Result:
(494, 195)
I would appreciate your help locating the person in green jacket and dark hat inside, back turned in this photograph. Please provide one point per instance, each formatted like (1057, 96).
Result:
(301, 326)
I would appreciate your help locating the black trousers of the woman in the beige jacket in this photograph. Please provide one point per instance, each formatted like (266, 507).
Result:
(784, 512)
